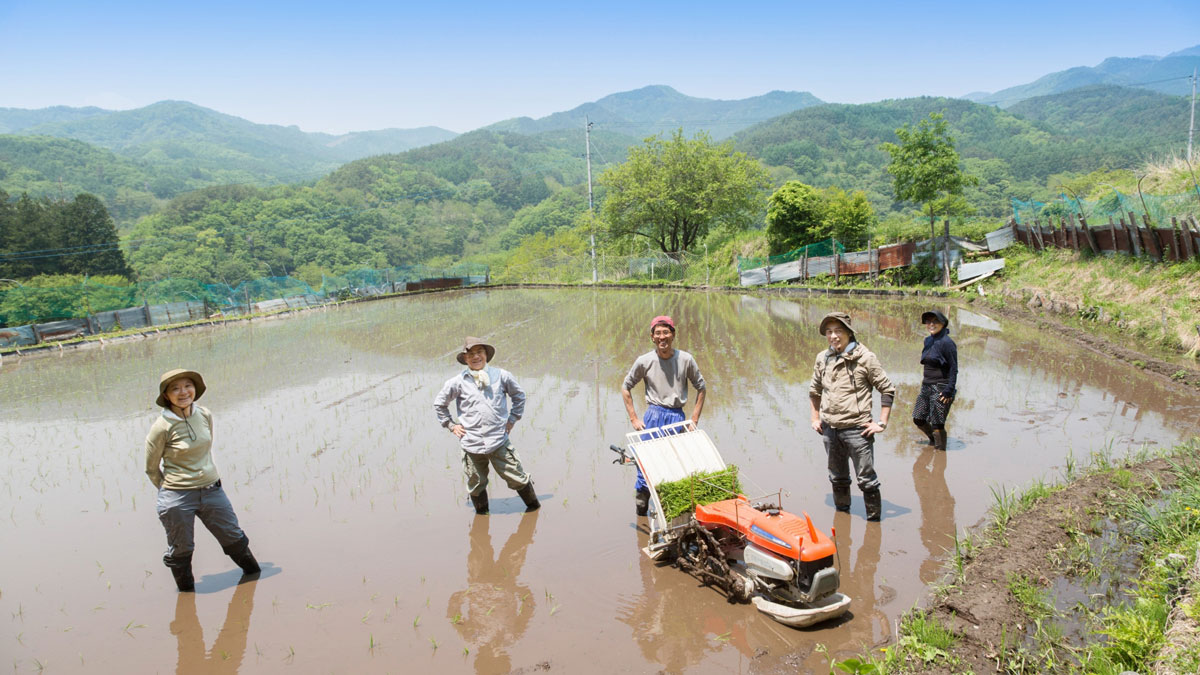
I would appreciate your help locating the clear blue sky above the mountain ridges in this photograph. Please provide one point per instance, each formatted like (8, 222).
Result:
(356, 65)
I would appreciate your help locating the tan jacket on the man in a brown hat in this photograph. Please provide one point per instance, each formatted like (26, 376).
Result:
(844, 385)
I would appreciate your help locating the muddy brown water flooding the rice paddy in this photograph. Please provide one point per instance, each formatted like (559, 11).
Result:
(355, 504)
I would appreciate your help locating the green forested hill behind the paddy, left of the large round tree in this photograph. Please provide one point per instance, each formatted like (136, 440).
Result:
(481, 192)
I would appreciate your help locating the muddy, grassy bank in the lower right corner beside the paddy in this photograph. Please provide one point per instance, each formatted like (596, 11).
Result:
(1097, 575)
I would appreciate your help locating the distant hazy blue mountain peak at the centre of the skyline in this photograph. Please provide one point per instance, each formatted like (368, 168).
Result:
(659, 110)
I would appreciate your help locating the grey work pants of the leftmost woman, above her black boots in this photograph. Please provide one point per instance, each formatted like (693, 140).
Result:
(178, 511)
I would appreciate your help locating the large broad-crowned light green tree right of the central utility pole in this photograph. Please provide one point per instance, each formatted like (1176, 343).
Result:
(673, 192)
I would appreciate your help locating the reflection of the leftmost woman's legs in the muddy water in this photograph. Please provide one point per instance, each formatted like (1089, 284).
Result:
(230, 648)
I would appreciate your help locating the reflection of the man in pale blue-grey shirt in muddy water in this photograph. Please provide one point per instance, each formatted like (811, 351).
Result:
(495, 610)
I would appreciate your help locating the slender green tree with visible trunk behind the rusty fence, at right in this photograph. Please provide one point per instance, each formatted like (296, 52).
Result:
(926, 169)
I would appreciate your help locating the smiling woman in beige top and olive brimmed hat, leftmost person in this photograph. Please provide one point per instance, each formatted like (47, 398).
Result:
(179, 463)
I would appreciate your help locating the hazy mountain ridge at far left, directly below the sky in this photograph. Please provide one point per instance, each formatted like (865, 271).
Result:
(181, 147)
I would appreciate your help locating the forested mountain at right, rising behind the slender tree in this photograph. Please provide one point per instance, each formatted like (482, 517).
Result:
(1015, 153)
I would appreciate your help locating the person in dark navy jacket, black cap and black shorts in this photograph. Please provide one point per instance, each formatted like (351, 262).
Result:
(941, 361)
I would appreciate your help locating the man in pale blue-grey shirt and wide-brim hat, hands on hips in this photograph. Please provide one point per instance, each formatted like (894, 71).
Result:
(482, 396)
